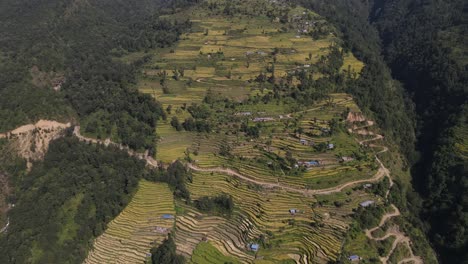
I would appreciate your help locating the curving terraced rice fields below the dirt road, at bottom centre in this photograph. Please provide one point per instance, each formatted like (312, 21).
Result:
(260, 212)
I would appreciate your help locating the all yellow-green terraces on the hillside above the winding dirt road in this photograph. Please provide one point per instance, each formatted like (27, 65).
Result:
(221, 57)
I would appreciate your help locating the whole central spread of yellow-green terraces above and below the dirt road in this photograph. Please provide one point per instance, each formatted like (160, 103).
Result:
(214, 70)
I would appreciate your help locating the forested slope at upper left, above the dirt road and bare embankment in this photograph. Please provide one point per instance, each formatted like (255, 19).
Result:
(72, 48)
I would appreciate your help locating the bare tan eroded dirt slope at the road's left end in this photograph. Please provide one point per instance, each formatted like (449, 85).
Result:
(31, 141)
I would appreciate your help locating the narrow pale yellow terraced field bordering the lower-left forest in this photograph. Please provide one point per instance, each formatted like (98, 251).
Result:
(129, 237)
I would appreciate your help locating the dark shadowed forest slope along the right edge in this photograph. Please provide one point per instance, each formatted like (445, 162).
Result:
(435, 75)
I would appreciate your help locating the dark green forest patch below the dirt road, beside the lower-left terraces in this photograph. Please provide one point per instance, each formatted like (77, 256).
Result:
(75, 191)
